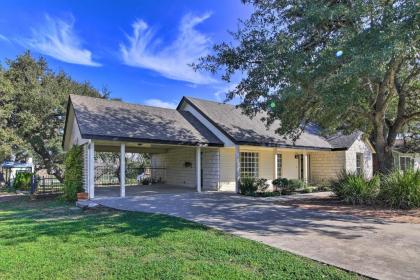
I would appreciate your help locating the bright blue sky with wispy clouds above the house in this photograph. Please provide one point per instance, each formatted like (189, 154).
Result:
(139, 50)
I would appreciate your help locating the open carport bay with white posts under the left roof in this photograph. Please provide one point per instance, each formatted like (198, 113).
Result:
(171, 169)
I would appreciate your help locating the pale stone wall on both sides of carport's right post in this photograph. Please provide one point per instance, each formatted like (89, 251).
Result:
(178, 174)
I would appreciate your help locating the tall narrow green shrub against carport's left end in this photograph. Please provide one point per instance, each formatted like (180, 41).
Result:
(73, 174)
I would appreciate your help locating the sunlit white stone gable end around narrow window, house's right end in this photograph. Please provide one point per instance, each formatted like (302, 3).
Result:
(359, 146)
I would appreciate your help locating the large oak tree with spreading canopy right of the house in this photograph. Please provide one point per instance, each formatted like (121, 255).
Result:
(345, 65)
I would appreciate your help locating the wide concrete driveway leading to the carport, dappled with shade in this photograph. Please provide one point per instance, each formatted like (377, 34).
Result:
(373, 247)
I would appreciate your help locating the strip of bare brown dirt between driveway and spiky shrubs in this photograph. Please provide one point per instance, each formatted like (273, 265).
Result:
(333, 205)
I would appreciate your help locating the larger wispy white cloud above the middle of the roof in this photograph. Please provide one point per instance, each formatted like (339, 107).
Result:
(144, 49)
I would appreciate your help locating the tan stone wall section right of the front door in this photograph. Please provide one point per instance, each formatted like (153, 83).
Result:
(325, 166)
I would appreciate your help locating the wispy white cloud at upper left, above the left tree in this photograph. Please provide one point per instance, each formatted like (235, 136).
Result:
(56, 38)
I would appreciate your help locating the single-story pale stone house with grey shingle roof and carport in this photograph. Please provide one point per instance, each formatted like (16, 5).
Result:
(207, 145)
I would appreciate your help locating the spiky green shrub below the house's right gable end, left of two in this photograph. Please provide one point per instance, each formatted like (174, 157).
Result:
(354, 188)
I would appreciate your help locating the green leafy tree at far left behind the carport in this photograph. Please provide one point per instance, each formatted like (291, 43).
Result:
(33, 102)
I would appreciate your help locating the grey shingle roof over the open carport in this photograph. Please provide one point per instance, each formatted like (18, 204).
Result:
(105, 119)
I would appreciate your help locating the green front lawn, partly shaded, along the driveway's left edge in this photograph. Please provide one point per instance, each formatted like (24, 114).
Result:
(48, 239)
